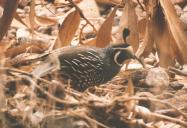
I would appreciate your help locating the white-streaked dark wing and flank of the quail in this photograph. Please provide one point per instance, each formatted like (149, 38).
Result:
(84, 66)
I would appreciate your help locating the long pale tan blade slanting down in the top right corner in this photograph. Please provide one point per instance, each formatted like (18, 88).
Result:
(176, 28)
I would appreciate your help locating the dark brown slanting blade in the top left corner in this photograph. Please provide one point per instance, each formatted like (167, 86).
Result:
(9, 12)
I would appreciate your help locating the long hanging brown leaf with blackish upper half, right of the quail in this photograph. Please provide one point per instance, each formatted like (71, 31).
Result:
(162, 38)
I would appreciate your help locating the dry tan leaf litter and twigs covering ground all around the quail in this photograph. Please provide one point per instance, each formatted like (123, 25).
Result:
(150, 97)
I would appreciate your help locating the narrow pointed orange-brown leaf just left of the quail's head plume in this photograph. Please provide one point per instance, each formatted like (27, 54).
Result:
(104, 34)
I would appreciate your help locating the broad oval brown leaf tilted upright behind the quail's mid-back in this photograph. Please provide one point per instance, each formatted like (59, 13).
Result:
(68, 28)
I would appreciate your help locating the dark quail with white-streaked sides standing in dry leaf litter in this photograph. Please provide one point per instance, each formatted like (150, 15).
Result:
(86, 66)
